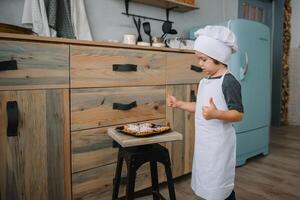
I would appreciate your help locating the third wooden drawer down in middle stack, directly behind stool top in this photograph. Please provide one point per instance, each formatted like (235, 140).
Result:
(93, 148)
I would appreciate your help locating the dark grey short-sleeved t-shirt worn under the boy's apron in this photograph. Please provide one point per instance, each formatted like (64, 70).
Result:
(232, 92)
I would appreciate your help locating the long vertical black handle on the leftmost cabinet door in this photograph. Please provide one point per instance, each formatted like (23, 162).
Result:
(12, 118)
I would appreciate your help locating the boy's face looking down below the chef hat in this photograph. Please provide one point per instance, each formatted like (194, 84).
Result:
(207, 64)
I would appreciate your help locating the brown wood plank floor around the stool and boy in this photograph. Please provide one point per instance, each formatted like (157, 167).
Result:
(272, 177)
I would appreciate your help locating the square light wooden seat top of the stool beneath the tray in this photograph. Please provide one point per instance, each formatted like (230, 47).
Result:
(128, 141)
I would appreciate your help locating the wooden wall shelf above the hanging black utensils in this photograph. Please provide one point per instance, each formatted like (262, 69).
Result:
(182, 7)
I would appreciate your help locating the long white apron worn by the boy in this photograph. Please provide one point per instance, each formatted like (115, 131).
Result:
(215, 145)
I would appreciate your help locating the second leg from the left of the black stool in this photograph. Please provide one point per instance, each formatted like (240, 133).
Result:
(131, 175)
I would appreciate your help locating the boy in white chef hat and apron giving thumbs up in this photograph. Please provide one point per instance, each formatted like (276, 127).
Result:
(219, 103)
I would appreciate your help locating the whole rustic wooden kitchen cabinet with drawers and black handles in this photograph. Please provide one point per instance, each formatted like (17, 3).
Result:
(65, 92)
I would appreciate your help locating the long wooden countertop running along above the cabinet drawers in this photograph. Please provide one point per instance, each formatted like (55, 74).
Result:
(32, 38)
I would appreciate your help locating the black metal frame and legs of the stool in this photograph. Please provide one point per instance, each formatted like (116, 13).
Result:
(136, 157)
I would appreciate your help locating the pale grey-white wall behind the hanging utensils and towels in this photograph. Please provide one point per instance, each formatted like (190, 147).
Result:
(107, 22)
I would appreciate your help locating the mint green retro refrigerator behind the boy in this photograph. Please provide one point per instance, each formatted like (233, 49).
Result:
(251, 65)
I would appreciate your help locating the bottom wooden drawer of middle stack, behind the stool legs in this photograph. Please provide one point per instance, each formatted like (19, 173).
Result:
(97, 183)
